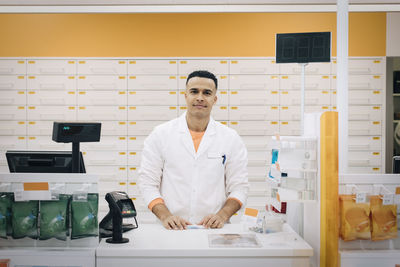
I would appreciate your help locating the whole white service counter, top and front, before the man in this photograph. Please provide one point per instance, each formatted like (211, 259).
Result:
(153, 245)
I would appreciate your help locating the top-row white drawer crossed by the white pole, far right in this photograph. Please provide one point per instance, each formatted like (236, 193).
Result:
(363, 66)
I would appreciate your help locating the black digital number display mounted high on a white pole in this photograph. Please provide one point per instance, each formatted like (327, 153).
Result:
(303, 47)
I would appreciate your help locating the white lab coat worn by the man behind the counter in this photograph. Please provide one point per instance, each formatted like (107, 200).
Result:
(192, 184)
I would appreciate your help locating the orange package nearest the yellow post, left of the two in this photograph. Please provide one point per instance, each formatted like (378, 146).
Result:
(354, 219)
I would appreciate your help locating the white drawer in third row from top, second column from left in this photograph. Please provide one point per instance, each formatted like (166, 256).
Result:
(51, 98)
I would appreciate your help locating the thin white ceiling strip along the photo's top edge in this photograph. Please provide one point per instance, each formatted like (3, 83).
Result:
(186, 2)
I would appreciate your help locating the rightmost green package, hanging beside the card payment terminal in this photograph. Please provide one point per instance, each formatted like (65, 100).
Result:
(84, 217)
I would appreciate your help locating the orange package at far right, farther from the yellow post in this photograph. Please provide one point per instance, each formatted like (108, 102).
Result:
(384, 219)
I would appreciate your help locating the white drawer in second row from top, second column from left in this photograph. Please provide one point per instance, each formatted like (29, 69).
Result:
(51, 82)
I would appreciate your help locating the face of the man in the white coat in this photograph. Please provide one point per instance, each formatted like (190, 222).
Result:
(200, 96)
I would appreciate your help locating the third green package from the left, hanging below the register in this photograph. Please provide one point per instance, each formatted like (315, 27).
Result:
(54, 219)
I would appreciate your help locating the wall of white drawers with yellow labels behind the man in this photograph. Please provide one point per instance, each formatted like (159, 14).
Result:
(256, 97)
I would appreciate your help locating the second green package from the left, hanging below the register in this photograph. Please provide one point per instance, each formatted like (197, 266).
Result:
(24, 219)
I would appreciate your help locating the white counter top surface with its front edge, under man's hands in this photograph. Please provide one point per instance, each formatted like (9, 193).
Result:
(153, 240)
